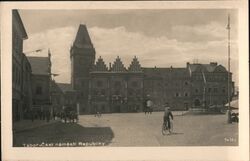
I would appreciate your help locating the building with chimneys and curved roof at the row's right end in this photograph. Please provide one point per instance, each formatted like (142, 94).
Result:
(209, 84)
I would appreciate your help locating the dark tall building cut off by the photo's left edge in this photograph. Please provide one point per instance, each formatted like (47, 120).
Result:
(21, 70)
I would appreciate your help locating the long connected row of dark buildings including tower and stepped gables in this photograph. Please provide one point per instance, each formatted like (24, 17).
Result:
(115, 88)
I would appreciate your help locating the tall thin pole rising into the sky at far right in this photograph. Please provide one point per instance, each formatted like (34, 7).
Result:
(228, 79)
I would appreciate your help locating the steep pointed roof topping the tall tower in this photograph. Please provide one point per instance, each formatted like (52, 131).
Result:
(82, 39)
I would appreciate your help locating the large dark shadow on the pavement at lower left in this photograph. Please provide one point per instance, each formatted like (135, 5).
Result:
(64, 135)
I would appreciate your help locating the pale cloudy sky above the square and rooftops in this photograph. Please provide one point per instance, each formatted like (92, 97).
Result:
(161, 38)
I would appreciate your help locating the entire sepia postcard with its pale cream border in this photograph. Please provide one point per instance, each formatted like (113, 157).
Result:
(142, 77)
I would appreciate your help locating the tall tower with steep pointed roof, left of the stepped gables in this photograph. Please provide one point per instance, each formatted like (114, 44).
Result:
(82, 55)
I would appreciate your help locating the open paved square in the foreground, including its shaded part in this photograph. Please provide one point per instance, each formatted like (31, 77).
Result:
(134, 129)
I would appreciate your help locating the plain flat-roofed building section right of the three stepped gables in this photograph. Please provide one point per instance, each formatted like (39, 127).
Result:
(168, 85)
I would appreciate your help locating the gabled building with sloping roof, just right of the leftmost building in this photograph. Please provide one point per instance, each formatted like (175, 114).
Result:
(41, 82)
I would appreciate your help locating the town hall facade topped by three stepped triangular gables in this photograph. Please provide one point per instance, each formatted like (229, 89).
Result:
(116, 89)
